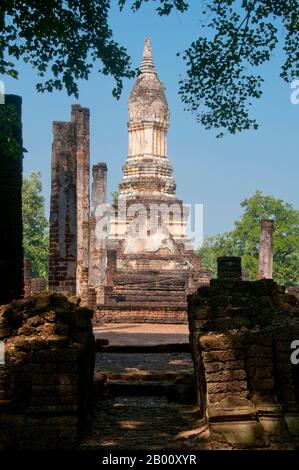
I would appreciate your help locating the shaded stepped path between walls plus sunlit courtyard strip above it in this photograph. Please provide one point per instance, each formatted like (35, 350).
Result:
(145, 391)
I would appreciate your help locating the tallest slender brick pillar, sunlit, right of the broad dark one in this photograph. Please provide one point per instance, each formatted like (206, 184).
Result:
(80, 119)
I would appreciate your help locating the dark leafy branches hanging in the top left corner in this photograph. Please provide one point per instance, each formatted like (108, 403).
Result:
(61, 38)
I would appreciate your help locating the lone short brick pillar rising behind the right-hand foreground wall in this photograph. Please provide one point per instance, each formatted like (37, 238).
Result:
(265, 270)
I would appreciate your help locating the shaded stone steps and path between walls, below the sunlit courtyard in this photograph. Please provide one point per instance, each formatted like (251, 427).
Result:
(145, 400)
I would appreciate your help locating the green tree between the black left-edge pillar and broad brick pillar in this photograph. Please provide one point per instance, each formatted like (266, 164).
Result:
(35, 225)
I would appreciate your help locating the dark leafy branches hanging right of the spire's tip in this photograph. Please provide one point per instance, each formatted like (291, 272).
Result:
(236, 38)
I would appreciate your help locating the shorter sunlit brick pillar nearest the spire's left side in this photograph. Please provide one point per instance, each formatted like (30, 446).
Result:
(97, 263)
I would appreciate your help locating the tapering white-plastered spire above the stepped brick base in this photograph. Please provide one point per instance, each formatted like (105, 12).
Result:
(148, 171)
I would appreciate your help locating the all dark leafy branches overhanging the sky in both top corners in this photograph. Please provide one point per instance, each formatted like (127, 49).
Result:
(64, 40)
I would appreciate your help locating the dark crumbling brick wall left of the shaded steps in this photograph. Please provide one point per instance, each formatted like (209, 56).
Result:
(47, 377)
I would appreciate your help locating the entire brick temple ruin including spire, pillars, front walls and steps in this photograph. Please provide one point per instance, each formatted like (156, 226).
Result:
(132, 261)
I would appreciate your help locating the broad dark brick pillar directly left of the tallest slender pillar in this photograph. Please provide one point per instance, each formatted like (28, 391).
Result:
(63, 212)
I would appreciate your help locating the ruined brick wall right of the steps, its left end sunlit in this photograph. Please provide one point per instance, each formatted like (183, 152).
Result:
(241, 334)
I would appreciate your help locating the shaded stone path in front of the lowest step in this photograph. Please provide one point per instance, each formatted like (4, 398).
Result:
(145, 422)
